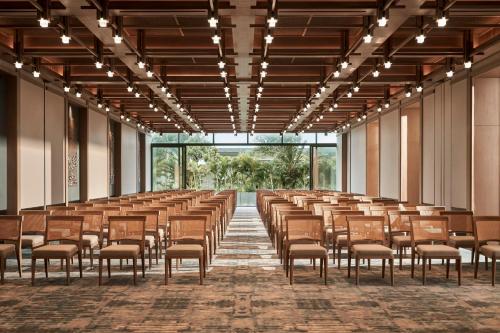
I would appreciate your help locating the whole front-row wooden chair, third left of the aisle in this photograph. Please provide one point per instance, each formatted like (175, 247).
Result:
(68, 231)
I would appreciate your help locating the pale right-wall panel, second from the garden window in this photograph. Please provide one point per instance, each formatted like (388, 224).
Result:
(390, 155)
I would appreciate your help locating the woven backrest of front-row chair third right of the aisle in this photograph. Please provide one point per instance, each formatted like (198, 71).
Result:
(429, 228)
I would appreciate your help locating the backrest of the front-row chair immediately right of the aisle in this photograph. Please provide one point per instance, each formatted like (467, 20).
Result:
(305, 227)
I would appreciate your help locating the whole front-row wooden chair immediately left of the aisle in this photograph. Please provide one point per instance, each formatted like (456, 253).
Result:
(187, 240)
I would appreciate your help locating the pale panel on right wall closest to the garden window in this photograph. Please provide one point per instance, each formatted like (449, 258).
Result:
(358, 159)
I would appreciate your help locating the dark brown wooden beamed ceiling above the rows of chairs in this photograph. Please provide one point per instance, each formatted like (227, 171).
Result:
(310, 40)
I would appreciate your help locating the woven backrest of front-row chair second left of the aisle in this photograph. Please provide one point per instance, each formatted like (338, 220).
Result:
(130, 228)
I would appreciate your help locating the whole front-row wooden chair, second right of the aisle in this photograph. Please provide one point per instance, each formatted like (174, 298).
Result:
(365, 240)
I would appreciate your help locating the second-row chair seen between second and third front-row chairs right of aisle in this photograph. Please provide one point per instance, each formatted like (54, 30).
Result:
(399, 231)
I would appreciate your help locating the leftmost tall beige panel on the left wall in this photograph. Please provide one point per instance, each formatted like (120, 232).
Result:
(31, 145)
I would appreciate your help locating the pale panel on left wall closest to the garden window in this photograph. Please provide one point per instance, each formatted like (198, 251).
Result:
(129, 159)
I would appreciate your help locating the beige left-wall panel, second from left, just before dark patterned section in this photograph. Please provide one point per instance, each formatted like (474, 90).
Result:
(54, 149)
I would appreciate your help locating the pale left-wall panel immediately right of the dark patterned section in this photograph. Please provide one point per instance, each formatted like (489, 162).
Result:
(97, 155)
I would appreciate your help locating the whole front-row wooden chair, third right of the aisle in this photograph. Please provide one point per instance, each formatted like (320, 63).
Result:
(426, 231)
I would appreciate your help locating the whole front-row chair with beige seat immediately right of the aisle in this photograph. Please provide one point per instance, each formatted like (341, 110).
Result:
(304, 240)
